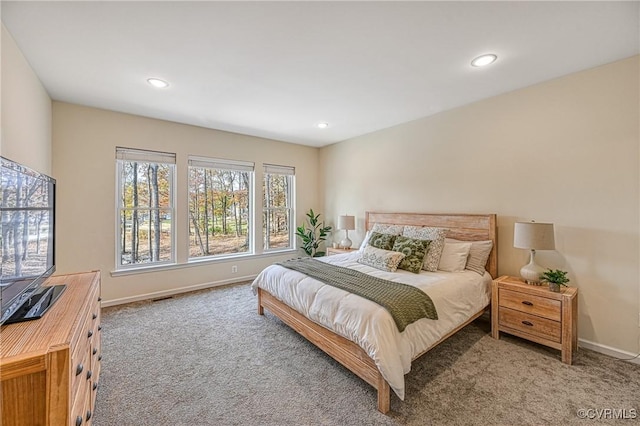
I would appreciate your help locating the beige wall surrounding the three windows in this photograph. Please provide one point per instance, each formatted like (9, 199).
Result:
(84, 143)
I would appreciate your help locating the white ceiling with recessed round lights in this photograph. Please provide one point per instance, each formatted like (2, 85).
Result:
(276, 69)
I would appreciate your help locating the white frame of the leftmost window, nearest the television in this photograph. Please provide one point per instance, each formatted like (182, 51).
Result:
(147, 156)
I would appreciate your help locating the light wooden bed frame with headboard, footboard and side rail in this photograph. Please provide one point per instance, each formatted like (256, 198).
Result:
(466, 227)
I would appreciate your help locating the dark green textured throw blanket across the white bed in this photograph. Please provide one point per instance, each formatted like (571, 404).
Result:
(405, 303)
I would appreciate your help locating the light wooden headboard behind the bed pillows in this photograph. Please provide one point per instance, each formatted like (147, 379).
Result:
(465, 227)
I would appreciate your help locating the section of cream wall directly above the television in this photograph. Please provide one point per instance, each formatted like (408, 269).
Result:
(25, 119)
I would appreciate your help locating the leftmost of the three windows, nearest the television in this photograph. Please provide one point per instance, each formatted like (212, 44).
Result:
(145, 211)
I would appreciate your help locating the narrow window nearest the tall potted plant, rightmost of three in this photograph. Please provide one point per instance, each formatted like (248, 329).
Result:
(278, 223)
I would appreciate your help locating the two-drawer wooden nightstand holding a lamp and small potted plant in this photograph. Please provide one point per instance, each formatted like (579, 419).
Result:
(535, 313)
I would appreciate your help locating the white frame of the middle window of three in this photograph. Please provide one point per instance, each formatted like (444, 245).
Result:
(233, 165)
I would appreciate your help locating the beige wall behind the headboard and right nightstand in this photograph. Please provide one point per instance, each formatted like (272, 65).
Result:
(565, 151)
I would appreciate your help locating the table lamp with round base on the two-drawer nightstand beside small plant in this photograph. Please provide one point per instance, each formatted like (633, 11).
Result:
(533, 236)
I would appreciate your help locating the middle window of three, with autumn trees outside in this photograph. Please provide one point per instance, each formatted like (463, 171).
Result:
(220, 211)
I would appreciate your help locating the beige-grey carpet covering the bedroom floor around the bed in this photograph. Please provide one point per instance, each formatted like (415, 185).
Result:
(207, 358)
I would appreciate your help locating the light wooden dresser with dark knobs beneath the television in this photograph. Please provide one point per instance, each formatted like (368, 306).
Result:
(49, 367)
